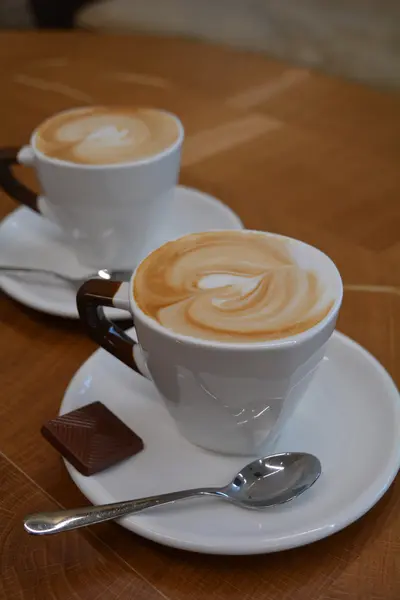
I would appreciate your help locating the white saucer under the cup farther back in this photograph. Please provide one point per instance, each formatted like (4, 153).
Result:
(27, 239)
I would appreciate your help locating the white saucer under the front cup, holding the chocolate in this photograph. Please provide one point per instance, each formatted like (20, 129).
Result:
(350, 419)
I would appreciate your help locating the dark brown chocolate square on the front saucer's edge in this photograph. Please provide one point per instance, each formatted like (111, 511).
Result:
(92, 438)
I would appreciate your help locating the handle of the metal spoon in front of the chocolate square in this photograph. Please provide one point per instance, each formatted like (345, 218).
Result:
(65, 520)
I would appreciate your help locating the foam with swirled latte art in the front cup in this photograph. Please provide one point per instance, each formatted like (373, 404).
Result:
(229, 286)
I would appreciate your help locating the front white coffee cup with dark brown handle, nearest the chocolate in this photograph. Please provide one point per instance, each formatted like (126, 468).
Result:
(228, 397)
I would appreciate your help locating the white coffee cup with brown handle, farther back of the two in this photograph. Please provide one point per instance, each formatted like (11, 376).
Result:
(109, 212)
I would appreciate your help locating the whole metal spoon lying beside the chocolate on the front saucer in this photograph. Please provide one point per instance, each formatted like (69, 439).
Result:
(265, 482)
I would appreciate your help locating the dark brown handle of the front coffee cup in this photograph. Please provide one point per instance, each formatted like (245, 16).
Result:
(92, 296)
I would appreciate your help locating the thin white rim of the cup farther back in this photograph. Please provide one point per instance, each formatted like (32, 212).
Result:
(125, 165)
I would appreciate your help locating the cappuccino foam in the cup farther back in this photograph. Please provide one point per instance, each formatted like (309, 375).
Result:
(106, 135)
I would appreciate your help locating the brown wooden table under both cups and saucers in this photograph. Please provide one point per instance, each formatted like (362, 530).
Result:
(290, 151)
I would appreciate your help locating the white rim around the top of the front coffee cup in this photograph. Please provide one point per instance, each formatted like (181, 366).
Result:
(289, 341)
